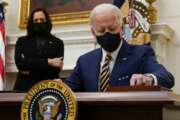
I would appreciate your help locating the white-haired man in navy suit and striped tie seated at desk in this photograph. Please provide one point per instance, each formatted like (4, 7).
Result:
(116, 63)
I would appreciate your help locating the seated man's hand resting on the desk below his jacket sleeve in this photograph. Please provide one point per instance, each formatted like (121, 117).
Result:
(141, 79)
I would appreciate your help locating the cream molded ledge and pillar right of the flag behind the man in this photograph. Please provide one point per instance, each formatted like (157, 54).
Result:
(161, 35)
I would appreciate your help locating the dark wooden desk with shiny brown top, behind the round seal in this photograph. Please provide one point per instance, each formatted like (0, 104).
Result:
(126, 105)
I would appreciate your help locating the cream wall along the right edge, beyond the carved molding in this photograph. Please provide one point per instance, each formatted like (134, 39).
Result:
(169, 13)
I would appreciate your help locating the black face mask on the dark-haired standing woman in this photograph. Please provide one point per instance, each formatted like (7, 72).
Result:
(40, 28)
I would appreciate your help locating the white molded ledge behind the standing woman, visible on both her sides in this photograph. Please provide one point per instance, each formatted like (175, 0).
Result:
(76, 41)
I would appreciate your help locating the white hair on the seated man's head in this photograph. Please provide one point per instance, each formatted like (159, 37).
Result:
(105, 8)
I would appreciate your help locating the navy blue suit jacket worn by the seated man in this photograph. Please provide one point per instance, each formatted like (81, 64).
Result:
(131, 59)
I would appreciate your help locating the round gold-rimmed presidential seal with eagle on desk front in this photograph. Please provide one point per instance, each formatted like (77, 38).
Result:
(49, 100)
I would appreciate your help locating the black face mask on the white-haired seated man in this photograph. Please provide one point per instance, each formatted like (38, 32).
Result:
(109, 41)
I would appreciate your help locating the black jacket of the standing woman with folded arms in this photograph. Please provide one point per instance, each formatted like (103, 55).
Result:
(29, 56)
